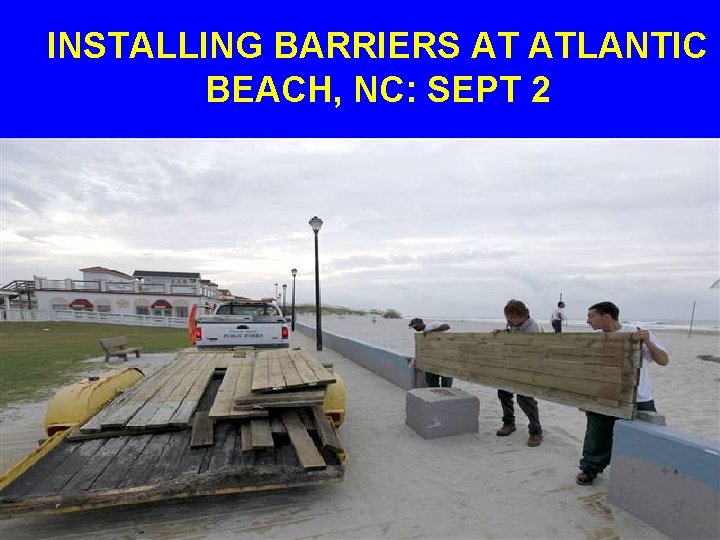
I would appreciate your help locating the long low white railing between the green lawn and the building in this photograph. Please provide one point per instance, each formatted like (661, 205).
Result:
(17, 315)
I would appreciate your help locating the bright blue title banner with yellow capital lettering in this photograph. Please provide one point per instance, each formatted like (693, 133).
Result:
(335, 69)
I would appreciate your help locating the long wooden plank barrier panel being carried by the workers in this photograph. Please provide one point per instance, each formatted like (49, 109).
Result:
(596, 371)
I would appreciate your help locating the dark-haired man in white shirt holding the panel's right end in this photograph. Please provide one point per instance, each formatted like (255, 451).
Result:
(597, 447)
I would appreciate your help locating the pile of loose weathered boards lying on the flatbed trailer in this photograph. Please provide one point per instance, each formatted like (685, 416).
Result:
(271, 395)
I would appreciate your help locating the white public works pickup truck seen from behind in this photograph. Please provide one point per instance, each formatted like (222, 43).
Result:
(243, 323)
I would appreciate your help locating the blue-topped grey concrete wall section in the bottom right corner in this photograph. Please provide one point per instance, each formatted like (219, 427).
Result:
(668, 479)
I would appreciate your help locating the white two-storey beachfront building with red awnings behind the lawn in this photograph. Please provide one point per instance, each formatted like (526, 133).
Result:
(153, 293)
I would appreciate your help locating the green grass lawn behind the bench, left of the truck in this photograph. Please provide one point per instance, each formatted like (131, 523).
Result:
(36, 356)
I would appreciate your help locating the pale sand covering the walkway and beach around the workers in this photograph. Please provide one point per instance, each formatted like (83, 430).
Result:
(398, 485)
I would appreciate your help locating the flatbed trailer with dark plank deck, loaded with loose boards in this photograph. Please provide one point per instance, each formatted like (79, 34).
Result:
(98, 462)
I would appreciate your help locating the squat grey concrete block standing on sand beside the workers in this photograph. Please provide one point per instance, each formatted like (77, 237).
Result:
(441, 412)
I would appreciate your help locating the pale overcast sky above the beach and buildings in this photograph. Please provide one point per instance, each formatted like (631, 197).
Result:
(427, 227)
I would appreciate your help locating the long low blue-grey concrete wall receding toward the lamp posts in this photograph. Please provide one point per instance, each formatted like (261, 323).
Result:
(387, 364)
